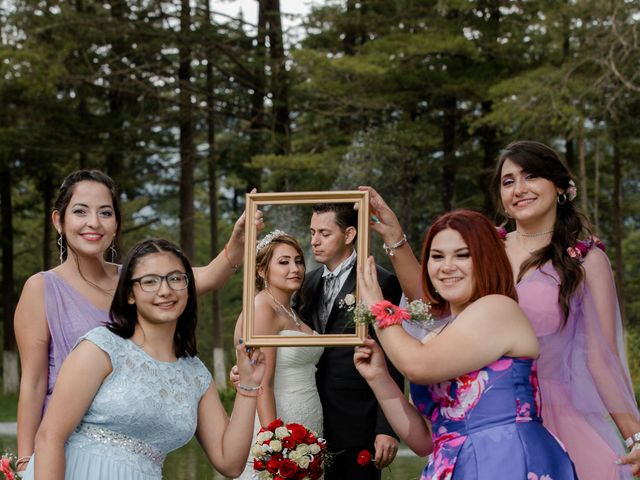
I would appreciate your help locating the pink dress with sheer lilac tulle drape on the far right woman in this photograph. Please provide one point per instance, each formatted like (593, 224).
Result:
(582, 368)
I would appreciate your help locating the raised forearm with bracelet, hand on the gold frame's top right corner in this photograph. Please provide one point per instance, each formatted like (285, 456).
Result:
(386, 224)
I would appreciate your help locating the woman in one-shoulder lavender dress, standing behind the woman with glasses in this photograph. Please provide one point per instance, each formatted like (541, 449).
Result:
(58, 306)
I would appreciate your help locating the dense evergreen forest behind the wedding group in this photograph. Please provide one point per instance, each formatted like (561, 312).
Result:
(188, 110)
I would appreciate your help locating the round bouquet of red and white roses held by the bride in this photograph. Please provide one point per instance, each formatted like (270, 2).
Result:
(289, 451)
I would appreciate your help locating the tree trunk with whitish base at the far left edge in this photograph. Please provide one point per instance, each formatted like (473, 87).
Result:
(10, 373)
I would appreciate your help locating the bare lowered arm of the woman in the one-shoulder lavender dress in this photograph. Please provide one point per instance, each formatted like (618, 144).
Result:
(32, 335)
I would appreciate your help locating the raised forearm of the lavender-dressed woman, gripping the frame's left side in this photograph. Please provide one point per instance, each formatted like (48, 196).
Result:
(214, 275)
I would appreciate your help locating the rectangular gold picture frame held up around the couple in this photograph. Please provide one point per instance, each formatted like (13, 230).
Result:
(254, 201)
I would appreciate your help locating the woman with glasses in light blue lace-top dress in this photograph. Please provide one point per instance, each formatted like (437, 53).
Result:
(131, 392)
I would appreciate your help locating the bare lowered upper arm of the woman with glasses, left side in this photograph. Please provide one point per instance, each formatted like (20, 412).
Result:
(81, 375)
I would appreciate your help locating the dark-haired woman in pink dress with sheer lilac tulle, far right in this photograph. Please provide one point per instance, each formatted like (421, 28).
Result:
(566, 288)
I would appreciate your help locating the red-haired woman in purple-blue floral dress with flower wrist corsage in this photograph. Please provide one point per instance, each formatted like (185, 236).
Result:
(474, 384)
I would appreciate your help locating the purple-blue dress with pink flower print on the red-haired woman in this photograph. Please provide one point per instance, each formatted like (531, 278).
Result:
(486, 425)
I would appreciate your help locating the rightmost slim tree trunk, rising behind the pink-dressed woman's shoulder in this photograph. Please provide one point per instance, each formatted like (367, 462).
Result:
(616, 215)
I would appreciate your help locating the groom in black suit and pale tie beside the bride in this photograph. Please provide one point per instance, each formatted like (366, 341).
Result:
(353, 421)
